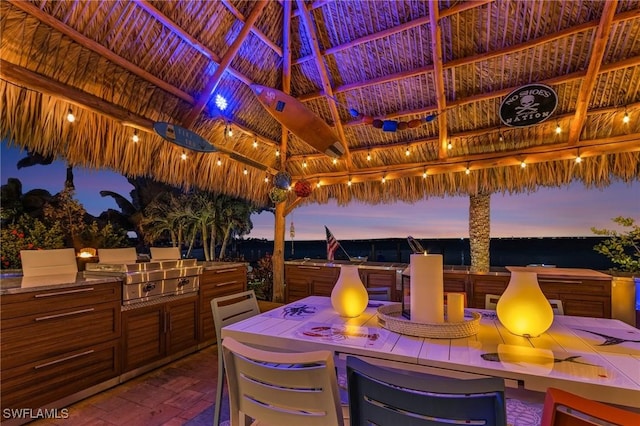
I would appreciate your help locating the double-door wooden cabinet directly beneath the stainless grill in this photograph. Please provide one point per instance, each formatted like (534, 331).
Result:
(155, 331)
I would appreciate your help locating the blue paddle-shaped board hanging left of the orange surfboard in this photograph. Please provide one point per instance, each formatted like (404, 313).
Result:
(185, 138)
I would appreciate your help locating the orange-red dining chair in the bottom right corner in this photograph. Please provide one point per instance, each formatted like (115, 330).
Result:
(562, 408)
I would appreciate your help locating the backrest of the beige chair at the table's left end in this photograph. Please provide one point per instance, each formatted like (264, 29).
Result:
(227, 310)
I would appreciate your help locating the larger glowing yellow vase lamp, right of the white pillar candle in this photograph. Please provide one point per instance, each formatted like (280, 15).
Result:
(523, 309)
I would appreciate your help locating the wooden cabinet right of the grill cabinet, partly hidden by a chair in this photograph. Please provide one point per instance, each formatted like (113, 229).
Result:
(217, 282)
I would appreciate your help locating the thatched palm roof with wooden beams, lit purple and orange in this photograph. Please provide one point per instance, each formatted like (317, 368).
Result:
(123, 65)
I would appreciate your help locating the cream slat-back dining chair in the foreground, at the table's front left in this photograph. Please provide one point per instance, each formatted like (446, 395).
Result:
(280, 388)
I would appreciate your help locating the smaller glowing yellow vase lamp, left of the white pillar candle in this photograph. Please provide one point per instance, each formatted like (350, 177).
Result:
(349, 297)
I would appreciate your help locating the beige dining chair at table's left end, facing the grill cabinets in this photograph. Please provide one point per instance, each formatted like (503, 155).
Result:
(228, 310)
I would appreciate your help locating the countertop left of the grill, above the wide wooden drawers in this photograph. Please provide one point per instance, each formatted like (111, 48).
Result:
(16, 284)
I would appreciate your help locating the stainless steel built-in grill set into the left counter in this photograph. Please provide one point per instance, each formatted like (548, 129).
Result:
(149, 281)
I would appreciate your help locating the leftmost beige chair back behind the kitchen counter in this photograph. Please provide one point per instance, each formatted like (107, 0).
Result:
(36, 263)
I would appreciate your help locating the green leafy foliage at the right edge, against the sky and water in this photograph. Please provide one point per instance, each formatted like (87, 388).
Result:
(622, 248)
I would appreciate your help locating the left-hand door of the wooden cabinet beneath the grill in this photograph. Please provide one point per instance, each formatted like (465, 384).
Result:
(144, 334)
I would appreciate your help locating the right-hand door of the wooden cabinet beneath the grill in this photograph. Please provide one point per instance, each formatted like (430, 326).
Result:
(182, 330)
